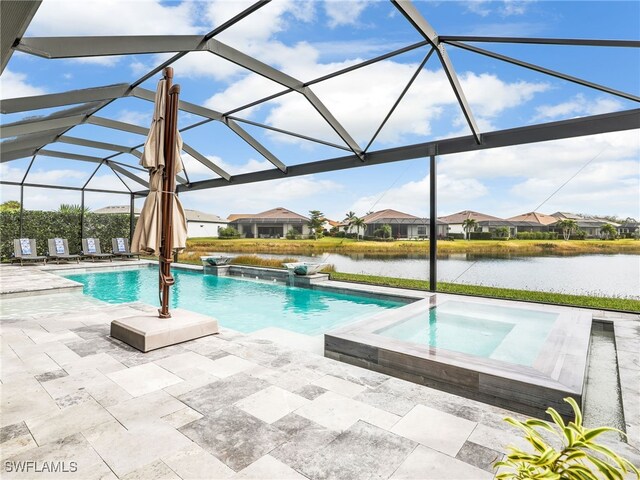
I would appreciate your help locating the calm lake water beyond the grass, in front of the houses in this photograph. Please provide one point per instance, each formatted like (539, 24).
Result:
(597, 275)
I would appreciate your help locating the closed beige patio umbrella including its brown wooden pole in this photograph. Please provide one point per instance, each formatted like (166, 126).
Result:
(162, 227)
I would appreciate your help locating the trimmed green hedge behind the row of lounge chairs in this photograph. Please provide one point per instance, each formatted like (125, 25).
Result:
(44, 225)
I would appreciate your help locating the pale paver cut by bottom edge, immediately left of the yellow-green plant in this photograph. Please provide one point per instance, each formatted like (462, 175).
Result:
(427, 464)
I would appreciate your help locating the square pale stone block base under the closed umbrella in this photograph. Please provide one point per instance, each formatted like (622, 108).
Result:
(148, 332)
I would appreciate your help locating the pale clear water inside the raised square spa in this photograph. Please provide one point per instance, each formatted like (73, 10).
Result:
(513, 335)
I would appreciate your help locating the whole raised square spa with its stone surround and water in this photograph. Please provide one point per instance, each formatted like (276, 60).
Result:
(523, 357)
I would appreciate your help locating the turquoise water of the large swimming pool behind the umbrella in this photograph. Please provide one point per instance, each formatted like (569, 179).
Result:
(243, 305)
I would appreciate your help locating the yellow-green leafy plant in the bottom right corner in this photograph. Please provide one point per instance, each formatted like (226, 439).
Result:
(579, 458)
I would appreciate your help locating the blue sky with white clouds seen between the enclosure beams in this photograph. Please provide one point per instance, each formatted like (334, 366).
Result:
(310, 39)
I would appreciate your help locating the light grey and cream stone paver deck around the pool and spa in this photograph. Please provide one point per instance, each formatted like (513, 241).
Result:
(231, 405)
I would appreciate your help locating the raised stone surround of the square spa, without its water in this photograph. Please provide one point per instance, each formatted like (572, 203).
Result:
(559, 370)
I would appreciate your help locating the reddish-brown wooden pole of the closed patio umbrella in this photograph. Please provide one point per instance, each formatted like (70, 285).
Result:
(168, 188)
